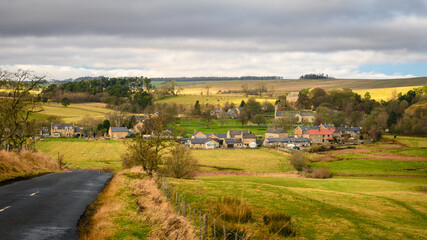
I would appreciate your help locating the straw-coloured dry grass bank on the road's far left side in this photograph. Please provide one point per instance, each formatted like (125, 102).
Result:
(24, 164)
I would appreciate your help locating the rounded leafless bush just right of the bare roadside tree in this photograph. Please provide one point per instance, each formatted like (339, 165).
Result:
(180, 163)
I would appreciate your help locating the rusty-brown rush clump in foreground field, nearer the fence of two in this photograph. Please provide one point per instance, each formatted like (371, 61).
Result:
(232, 209)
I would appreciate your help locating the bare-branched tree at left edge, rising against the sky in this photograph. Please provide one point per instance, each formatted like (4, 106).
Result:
(17, 107)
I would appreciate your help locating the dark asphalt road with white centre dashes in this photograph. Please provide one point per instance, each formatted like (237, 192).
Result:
(49, 206)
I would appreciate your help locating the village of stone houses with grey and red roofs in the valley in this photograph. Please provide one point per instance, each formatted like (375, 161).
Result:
(304, 135)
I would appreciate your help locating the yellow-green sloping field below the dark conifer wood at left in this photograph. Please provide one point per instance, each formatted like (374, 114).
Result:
(75, 112)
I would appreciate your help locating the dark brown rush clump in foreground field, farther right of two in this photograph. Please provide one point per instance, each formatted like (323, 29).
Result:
(279, 223)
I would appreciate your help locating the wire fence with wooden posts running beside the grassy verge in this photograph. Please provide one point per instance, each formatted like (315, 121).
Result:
(207, 227)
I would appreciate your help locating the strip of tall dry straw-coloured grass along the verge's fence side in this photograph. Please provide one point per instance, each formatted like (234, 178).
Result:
(158, 212)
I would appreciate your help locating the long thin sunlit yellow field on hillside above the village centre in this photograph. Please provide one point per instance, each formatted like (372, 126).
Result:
(216, 100)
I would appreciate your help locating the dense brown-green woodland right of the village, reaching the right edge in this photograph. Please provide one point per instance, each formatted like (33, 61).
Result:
(403, 114)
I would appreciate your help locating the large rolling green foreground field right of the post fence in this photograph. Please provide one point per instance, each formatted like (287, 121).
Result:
(338, 208)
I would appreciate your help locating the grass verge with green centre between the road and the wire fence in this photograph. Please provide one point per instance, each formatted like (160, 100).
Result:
(132, 207)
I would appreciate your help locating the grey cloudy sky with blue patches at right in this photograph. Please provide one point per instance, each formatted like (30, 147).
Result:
(170, 38)
